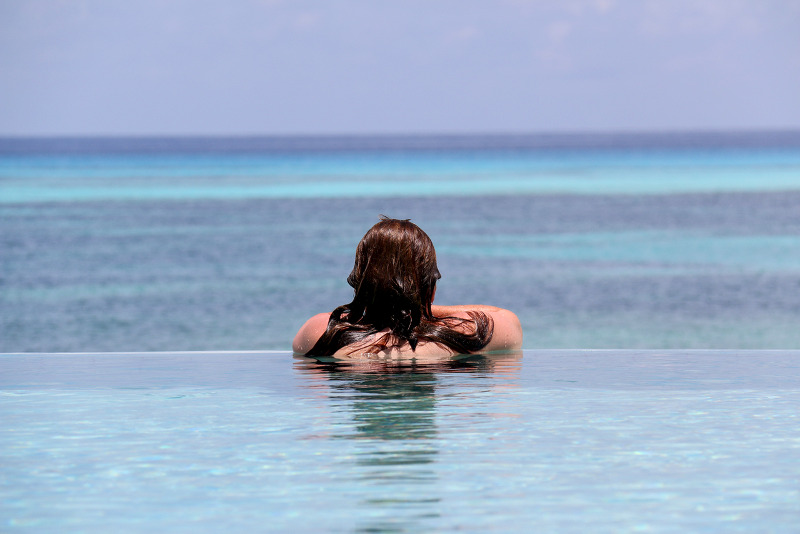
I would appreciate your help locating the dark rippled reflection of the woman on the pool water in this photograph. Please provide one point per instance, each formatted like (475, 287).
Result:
(394, 416)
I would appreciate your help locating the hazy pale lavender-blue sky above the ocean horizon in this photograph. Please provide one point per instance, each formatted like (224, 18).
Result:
(272, 67)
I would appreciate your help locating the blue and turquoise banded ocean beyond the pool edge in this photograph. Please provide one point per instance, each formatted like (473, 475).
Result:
(651, 241)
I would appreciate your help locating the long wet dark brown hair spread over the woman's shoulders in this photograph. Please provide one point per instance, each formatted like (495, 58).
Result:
(394, 280)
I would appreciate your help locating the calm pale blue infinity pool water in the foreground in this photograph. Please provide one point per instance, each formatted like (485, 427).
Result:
(535, 441)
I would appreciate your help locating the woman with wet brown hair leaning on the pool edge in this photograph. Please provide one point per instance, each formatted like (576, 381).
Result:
(392, 312)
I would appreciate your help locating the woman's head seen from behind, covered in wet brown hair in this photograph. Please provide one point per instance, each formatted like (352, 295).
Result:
(394, 276)
